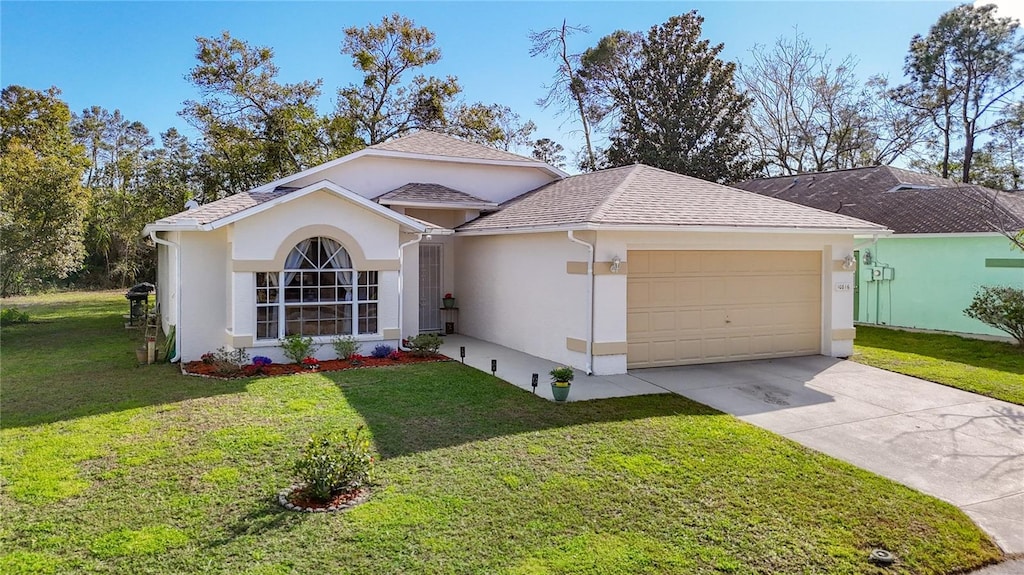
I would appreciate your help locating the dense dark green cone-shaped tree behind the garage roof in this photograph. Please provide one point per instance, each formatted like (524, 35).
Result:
(680, 110)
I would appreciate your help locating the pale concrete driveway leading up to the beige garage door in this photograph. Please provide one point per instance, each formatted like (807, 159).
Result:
(959, 447)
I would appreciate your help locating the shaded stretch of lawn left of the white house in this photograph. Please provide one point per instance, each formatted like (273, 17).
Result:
(82, 363)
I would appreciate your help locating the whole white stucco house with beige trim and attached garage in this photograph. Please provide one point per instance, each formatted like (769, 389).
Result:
(623, 269)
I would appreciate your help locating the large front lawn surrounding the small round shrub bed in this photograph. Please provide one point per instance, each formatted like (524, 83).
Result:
(112, 468)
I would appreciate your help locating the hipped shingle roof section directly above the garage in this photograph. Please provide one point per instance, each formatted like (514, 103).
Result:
(645, 196)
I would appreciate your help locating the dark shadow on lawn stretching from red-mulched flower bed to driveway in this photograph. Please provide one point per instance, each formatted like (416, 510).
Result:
(416, 409)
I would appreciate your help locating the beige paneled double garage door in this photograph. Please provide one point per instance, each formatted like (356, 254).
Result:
(703, 307)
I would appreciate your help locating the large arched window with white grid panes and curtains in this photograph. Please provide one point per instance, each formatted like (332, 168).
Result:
(319, 293)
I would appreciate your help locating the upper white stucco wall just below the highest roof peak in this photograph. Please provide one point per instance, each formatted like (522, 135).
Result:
(371, 178)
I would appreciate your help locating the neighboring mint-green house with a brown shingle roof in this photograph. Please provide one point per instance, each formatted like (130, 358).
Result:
(949, 242)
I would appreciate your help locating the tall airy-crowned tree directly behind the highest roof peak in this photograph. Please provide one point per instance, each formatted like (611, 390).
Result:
(389, 103)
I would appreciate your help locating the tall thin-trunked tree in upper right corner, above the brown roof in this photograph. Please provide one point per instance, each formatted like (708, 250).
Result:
(962, 73)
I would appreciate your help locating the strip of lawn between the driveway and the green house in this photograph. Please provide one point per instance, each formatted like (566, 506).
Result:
(992, 369)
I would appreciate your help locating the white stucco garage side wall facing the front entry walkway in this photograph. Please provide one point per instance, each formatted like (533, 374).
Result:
(515, 291)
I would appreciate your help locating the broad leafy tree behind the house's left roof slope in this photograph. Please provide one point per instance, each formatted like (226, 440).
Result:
(255, 128)
